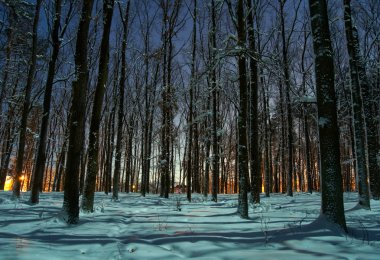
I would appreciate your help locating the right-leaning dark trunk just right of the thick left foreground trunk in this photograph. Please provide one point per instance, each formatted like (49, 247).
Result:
(93, 150)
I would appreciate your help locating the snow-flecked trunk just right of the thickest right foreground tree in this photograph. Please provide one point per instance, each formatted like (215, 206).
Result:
(357, 106)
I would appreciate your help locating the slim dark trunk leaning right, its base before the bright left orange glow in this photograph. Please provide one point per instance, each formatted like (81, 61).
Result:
(26, 104)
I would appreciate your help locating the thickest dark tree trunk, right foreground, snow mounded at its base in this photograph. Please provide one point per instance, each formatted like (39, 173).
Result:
(331, 178)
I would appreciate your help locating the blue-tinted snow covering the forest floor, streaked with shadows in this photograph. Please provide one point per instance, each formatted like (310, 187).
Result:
(156, 228)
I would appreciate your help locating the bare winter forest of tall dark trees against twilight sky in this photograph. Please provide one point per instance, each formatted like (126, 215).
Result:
(206, 97)
